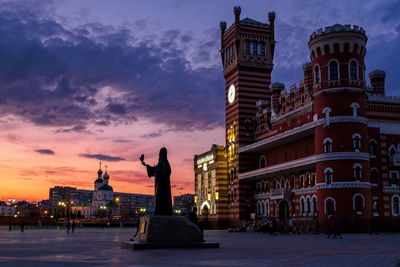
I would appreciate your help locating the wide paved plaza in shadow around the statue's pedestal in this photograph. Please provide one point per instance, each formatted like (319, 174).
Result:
(97, 247)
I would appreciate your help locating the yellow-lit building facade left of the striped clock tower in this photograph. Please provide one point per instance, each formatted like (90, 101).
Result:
(211, 187)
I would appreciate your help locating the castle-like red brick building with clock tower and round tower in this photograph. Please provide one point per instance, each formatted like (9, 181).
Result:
(328, 146)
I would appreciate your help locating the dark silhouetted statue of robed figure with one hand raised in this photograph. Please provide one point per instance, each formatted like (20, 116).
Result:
(162, 185)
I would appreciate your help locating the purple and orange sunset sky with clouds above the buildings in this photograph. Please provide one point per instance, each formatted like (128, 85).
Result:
(89, 81)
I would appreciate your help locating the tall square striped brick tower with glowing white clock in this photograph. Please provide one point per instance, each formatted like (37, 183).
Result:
(247, 51)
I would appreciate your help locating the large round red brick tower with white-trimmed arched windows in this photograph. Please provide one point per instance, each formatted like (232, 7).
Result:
(337, 53)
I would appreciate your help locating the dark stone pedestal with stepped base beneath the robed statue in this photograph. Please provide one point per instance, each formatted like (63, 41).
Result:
(168, 232)
